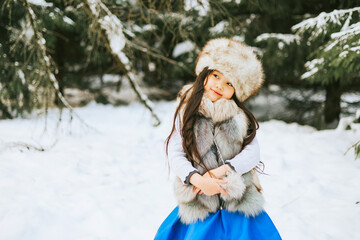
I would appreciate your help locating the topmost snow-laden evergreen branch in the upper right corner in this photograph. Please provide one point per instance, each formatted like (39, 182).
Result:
(320, 25)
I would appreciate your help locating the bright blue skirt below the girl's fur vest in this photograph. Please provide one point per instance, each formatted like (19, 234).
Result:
(222, 225)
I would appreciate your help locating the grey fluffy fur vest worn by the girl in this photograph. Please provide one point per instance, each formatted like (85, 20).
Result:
(226, 124)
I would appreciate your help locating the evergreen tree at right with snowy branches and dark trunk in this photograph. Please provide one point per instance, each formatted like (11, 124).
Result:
(334, 61)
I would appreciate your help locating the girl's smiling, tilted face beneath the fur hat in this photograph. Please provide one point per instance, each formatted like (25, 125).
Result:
(217, 86)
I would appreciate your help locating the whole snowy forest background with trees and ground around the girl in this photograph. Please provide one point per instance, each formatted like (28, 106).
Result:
(87, 93)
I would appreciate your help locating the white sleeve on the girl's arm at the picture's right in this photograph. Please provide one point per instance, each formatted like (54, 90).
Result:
(247, 159)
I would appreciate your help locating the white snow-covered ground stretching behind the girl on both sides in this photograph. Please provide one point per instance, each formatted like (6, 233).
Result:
(110, 180)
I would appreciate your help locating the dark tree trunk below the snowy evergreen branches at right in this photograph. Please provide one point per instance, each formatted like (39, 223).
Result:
(332, 102)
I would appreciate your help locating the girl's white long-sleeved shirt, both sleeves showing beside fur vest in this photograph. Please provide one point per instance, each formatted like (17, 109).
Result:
(243, 162)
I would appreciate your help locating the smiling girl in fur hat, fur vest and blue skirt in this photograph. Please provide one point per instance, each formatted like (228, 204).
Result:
(217, 189)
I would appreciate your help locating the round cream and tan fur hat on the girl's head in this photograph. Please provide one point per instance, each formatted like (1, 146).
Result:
(236, 61)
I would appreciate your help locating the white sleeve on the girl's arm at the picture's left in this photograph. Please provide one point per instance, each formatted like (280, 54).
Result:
(178, 162)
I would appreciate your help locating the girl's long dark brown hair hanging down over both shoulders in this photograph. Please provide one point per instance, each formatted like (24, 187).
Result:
(191, 114)
